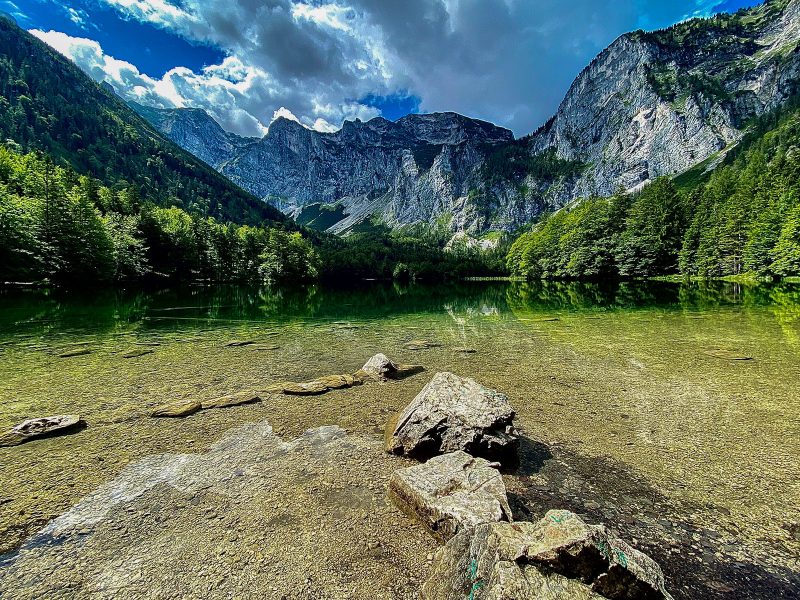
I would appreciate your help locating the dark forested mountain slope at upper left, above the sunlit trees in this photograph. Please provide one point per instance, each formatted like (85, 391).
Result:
(48, 104)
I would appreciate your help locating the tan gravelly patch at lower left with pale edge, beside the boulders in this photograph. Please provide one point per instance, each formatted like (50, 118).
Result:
(254, 516)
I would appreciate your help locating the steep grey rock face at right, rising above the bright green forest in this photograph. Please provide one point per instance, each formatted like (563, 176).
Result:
(656, 104)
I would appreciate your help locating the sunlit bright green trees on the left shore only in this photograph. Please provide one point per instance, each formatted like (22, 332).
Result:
(58, 226)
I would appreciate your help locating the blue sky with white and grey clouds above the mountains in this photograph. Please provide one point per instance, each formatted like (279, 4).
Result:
(324, 61)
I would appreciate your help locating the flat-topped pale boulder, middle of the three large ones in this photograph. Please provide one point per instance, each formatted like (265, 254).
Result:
(451, 493)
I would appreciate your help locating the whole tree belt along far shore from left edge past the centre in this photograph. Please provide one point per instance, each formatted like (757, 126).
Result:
(62, 227)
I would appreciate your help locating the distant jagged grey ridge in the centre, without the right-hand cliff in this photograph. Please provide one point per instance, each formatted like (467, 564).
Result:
(413, 170)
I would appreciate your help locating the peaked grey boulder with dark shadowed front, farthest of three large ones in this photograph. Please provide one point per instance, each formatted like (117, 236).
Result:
(455, 413)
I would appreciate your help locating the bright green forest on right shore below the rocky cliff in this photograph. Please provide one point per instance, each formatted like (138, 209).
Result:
(742, 219)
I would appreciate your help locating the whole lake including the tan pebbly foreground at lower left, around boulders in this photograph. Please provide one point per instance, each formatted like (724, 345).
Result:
(668, 411)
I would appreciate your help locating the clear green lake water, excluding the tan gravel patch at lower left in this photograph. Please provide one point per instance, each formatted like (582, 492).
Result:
(636, 413)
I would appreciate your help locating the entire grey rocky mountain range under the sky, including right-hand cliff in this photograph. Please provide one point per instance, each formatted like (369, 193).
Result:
(651, 104)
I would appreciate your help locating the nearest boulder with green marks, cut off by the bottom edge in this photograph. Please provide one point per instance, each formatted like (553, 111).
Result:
(558, 558)
